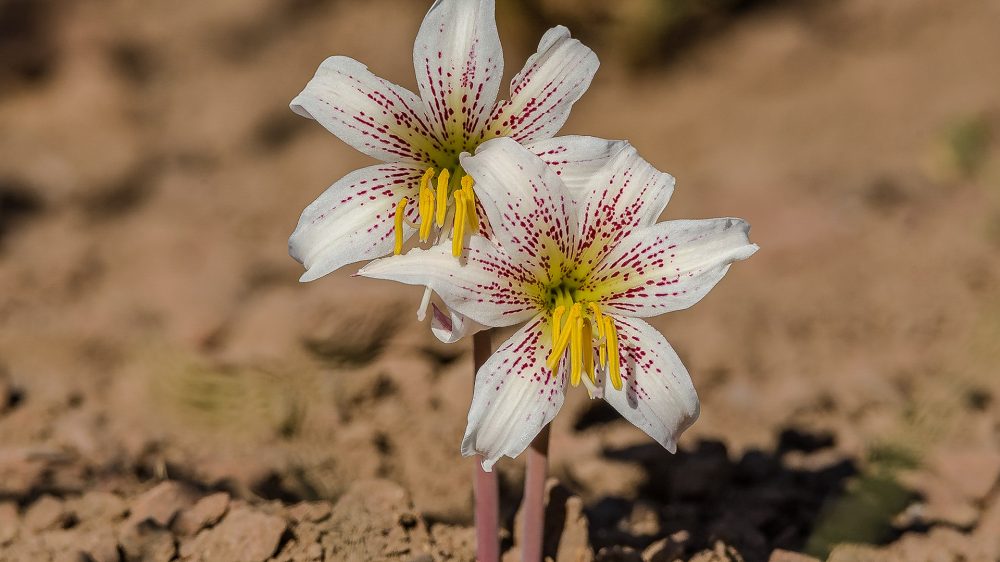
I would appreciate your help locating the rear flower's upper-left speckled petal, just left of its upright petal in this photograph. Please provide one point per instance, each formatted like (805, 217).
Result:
(373, 115)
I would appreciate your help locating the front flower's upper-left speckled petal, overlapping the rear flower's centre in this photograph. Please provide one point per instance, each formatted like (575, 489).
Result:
(527, 205)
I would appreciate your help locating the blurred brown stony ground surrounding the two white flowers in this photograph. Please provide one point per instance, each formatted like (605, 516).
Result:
(169, 390)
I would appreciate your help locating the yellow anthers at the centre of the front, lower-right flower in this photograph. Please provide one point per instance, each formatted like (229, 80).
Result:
(577, 333)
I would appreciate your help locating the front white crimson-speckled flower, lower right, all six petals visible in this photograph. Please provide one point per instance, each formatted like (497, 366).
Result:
(577, 255)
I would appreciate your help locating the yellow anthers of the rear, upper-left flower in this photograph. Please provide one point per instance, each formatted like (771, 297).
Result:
(434, 210)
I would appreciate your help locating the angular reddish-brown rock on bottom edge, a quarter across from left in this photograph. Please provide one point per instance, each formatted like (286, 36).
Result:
(244, 535)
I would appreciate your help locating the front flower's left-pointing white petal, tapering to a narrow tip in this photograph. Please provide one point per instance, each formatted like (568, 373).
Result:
(489, 287)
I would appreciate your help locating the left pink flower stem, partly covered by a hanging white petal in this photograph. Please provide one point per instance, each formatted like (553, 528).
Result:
(485, 488)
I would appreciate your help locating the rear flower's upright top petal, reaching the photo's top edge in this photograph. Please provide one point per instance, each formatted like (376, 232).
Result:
(459, 65)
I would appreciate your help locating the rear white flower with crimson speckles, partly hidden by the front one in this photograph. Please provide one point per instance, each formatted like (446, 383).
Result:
(422, 187)
